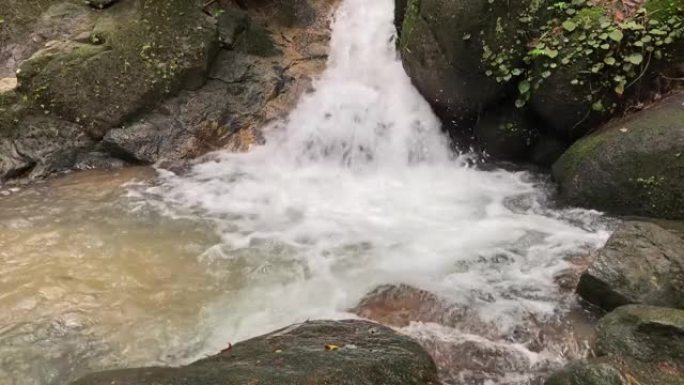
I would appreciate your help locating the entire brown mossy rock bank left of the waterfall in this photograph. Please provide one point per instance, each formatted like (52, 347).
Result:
(137, 81)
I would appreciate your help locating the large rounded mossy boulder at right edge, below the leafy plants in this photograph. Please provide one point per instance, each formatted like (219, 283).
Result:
(631, 166)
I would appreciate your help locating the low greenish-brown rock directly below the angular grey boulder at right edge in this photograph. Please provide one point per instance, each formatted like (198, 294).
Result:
(645, 333)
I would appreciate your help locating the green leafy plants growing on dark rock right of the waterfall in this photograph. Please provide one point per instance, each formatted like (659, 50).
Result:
(605, 50)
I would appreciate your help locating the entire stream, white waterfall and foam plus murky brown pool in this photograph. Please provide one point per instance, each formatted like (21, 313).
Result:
(356, 188)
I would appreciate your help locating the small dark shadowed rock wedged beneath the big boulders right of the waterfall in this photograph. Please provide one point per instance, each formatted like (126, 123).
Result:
(506, 133)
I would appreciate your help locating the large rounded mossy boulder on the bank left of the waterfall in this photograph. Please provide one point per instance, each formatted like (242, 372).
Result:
(140, 51)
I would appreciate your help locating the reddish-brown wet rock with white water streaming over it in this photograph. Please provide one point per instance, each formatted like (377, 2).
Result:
(468, 349)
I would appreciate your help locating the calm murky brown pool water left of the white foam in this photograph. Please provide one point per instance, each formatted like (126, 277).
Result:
(88, 282)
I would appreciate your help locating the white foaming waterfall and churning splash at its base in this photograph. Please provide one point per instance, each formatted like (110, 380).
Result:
(356, 189)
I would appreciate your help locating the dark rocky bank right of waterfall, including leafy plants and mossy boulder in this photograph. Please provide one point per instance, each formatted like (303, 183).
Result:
(527, 79)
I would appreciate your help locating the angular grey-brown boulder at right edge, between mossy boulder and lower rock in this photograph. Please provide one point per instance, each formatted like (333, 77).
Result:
(642, 263)
